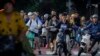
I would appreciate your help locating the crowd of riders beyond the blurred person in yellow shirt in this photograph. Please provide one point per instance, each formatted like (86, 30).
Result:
(68, 28)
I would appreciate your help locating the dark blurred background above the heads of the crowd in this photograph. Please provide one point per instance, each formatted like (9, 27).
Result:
(45, 6)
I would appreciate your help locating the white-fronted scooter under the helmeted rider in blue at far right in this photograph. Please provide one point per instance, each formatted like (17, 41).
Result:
(85, 43)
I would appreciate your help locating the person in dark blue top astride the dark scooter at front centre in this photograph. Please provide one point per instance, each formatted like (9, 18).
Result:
(61, 35)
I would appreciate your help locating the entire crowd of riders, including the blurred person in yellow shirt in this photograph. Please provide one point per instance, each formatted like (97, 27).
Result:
(26, 32)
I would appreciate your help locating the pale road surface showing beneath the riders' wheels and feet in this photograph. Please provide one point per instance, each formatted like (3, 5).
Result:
(46, 52)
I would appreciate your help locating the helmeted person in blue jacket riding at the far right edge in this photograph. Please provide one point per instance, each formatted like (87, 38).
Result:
(94, 28)
